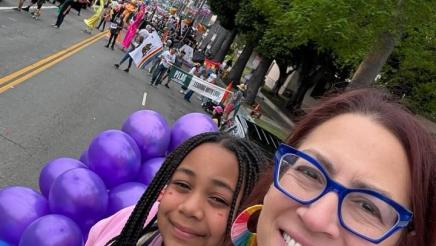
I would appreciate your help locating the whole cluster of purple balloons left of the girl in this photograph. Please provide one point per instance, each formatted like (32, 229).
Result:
(111, 174)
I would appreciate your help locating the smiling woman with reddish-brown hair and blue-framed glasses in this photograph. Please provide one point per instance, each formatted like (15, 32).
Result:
(357, 170)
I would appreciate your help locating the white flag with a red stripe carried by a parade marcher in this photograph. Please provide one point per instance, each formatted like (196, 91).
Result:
(149, 48)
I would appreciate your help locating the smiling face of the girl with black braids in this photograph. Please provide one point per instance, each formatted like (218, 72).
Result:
(196, 203)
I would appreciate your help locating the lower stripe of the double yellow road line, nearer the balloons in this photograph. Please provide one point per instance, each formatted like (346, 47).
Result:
(49, 64)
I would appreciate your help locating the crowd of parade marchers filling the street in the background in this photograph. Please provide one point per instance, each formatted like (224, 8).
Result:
(136, 21)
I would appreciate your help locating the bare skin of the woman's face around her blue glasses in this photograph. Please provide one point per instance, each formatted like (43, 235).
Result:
(363, 154)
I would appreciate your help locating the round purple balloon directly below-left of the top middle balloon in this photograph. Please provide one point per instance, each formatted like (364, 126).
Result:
(115, 157)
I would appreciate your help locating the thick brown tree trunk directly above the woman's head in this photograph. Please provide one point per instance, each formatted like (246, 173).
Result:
(373, 63)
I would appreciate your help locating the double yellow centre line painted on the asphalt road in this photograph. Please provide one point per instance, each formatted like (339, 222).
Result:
(9, 81)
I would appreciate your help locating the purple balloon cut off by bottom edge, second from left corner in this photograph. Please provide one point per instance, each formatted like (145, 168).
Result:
(52, 230)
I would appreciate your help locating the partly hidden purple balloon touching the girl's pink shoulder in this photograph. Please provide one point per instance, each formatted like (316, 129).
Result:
(125, 195)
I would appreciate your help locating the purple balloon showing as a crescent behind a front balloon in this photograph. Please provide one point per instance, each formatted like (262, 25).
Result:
(54, 169)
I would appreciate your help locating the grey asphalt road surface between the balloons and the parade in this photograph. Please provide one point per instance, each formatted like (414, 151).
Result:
(58, 111)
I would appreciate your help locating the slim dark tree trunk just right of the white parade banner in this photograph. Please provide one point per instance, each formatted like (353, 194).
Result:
(257, 80)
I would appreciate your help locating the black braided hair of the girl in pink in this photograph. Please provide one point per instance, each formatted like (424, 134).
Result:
(250, 162)
